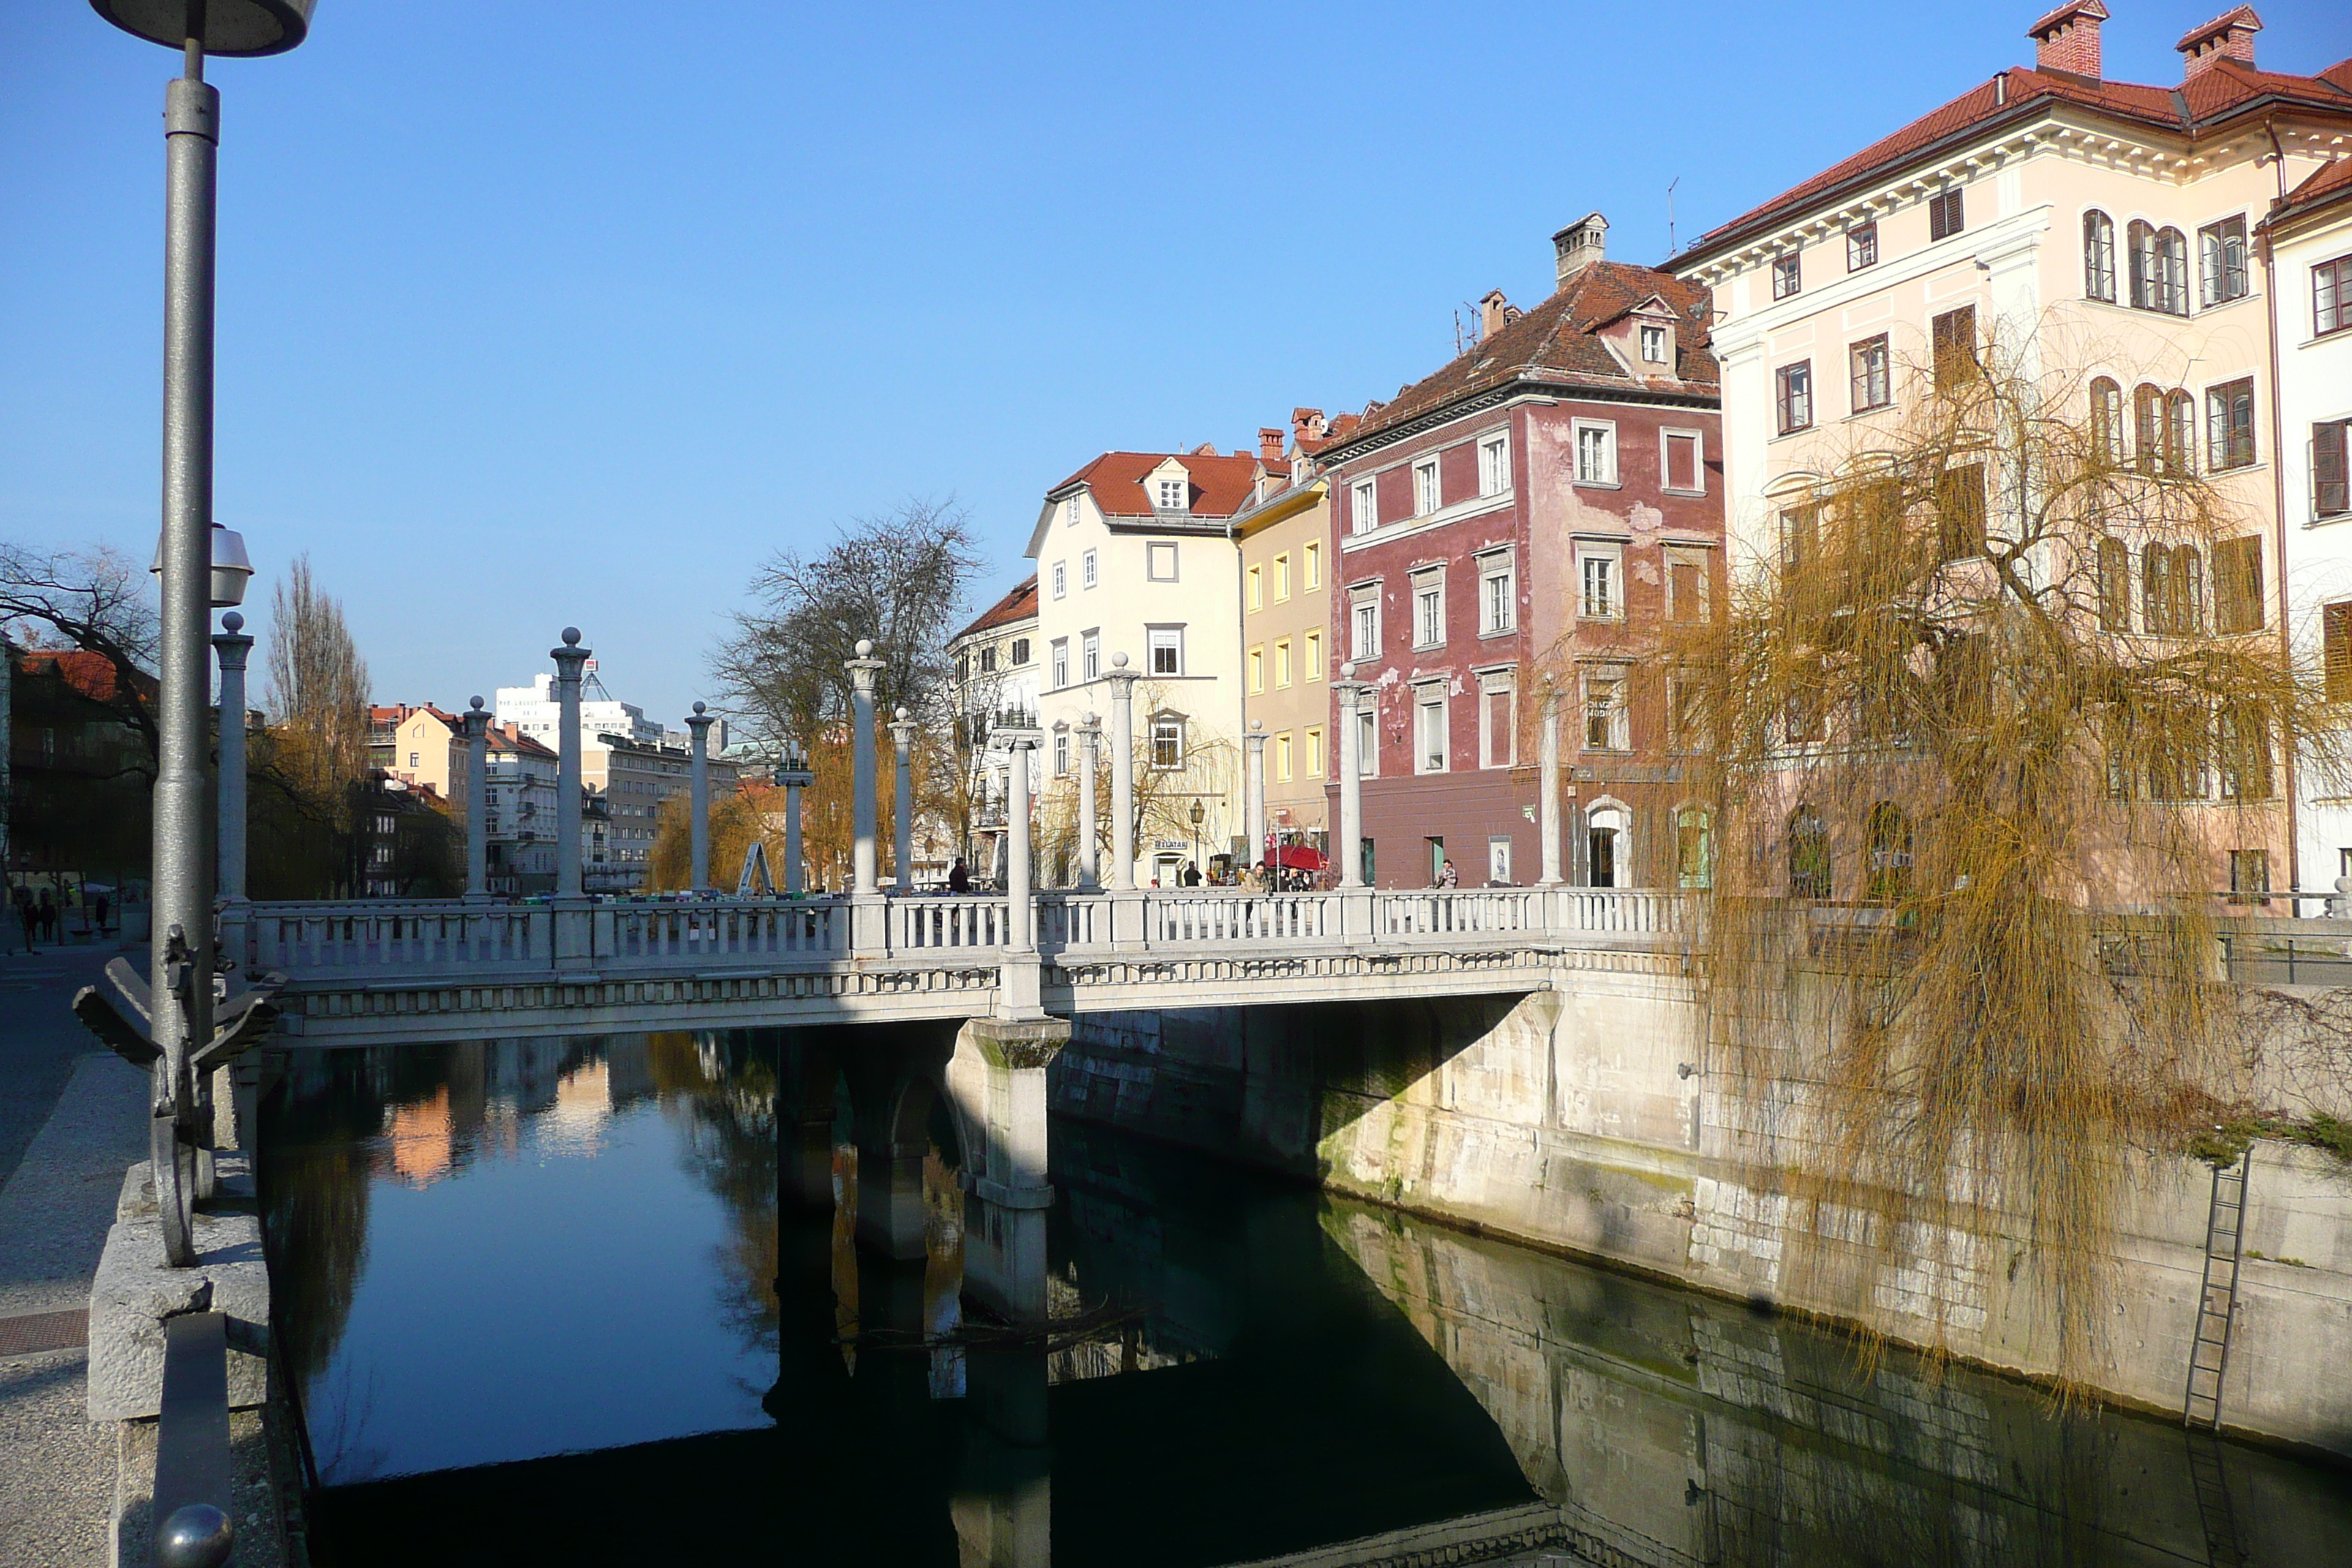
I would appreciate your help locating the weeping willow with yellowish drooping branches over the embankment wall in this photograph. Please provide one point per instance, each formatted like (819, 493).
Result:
(1996, 735)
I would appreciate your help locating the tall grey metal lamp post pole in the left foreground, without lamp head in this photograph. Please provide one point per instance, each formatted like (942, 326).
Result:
(182, 871)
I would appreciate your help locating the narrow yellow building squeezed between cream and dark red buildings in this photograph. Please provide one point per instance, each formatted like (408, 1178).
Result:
(1285, 652)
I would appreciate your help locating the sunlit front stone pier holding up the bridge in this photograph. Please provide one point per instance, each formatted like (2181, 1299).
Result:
(996, 1083)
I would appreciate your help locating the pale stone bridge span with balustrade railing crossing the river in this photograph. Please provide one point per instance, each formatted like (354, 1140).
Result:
(382, 972)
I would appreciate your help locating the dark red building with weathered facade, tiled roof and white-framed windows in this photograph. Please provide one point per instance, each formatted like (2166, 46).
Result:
(1535, 518)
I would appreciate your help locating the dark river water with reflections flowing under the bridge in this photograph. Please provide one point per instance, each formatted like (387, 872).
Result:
(542, 1306)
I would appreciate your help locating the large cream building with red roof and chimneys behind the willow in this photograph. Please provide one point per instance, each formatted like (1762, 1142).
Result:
(2094, 234)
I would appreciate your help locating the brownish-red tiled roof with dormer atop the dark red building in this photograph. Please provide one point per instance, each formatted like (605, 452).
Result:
(1556, 342)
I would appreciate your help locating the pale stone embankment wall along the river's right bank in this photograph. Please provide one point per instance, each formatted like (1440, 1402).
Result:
(1586, 1120)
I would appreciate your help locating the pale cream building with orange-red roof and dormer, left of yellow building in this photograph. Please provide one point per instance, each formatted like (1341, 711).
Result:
(1135, 558)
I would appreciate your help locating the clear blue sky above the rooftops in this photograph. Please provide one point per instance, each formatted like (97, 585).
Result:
(570, 314)
